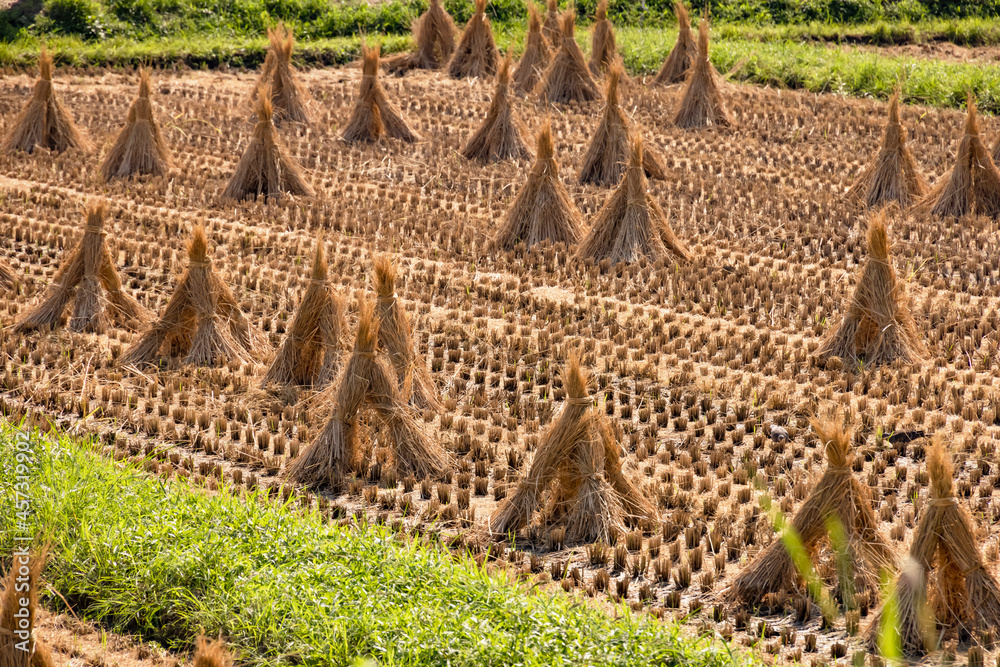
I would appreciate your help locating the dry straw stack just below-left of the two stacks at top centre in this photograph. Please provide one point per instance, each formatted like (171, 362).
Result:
(374, 116)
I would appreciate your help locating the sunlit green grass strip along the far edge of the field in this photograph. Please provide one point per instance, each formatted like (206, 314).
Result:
(816, 67)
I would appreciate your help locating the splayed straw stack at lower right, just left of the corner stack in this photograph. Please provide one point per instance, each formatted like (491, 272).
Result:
(838, 496)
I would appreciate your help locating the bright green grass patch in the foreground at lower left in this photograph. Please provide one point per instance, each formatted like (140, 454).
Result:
(169, 561)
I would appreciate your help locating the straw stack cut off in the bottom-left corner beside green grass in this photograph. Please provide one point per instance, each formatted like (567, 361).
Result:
(12, 608)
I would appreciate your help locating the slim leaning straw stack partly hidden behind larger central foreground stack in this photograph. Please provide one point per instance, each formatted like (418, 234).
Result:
(414, 381)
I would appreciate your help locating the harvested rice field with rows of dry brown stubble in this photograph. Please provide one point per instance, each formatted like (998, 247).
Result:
(704, 370)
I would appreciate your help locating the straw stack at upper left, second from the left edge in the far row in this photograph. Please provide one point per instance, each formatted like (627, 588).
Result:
(139, 148)
